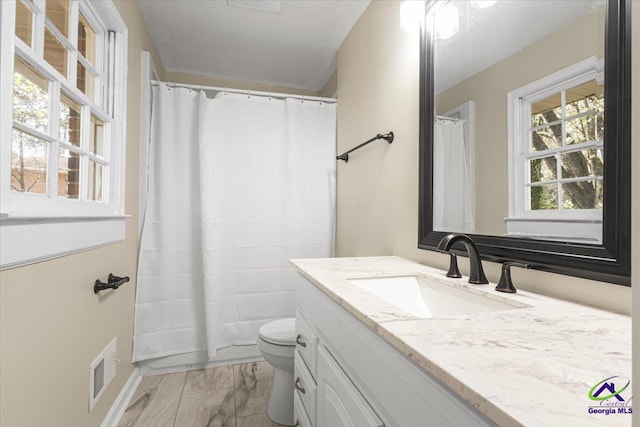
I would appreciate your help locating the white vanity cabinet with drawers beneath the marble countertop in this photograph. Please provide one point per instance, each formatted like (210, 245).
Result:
(352, 377)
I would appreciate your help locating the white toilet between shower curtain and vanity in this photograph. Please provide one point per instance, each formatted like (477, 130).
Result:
(277, 343)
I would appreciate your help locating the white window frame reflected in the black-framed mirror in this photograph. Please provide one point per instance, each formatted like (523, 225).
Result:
(576, 225)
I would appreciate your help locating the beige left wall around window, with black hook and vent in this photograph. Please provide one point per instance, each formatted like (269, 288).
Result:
(52, 325)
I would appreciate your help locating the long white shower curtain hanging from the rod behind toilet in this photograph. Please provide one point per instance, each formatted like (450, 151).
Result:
(255, 187)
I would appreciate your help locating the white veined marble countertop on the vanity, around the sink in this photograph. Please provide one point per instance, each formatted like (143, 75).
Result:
(531, 366)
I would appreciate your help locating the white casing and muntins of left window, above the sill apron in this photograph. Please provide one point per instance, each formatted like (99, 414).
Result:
(114, 159)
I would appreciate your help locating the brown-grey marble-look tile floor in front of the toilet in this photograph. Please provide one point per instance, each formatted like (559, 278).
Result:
(226, 396)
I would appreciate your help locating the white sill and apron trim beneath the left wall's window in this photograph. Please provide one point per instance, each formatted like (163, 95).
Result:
(30, 240)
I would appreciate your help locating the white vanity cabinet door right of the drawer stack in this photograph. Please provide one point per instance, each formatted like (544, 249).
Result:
(340, 404)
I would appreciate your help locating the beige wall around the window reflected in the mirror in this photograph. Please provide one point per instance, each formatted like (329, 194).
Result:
(488, 89)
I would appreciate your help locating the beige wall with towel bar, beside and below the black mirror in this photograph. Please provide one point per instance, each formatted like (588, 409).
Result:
(378, 189)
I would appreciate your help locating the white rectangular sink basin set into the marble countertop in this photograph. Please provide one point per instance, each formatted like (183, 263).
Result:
(426, 298)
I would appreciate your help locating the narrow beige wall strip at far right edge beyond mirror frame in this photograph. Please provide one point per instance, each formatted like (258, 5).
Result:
(635, 221)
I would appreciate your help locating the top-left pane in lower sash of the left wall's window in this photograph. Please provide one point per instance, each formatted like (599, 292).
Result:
(30, 97)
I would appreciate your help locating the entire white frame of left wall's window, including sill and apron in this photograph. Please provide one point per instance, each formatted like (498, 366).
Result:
(36, 227)
